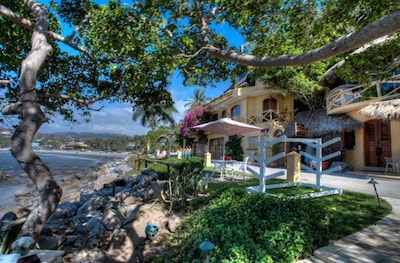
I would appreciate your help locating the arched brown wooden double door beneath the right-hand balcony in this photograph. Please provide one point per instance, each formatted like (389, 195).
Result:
(377, 143)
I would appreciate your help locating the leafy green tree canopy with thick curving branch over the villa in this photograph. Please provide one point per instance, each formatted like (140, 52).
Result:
(302, 39)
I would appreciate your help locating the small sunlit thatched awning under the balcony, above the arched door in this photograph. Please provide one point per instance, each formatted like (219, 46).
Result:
(389, 109)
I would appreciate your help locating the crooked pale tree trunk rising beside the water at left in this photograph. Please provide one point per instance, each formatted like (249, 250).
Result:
(32, 118)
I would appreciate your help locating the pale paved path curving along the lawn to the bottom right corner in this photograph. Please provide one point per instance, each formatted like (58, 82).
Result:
(379, 243)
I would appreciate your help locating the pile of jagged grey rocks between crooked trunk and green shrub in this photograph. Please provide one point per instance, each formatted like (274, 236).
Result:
(107, 222)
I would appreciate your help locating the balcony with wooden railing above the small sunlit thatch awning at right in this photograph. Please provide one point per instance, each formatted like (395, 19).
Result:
(350, 97)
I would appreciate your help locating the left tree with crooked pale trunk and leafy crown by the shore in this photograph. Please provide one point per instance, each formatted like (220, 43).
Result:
(116, 54)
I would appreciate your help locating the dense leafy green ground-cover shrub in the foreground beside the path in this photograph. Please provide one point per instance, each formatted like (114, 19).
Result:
(258, 228)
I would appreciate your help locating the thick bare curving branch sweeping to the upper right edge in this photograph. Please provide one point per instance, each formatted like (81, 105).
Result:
(387, 25)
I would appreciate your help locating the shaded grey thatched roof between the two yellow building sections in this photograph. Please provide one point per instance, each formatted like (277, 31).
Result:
(317, 123)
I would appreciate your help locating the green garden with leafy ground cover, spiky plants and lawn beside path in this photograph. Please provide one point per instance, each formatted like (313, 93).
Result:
(244, 227)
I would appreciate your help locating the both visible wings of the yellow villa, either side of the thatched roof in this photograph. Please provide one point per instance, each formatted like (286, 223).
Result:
(255, 104)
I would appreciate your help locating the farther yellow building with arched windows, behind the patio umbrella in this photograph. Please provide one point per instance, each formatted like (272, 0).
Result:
(254, 104)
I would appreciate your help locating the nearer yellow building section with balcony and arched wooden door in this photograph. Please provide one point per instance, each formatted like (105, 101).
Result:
(377, 137)
